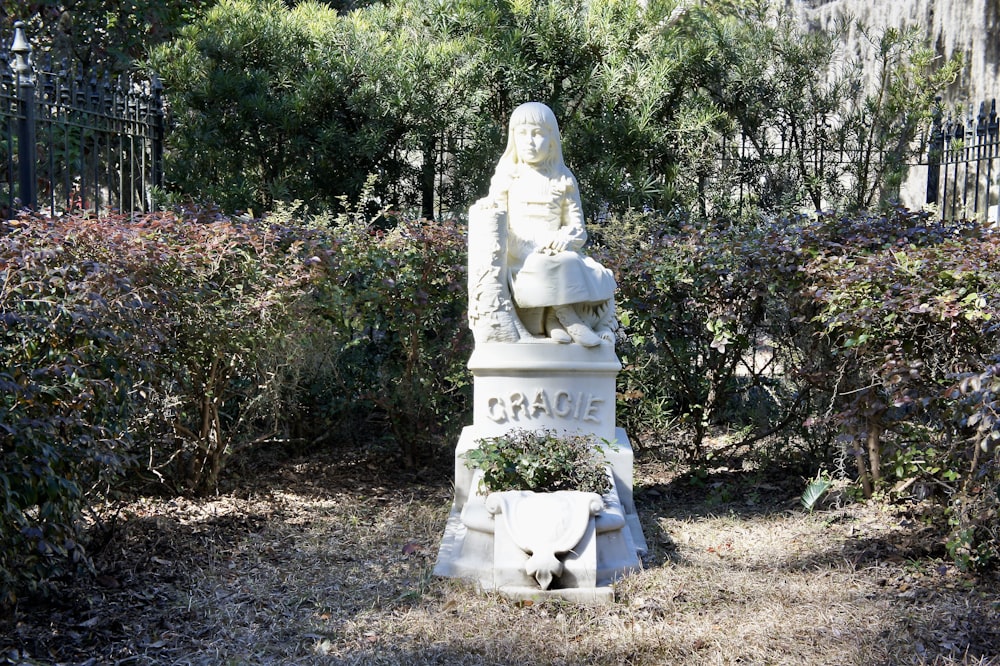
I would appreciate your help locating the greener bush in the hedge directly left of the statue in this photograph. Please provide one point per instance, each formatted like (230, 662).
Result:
(394, 301)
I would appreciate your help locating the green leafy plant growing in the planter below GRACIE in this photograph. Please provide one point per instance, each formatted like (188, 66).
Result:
(541, 460)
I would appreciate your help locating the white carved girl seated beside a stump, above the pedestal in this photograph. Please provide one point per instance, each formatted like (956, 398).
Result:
(526, 235)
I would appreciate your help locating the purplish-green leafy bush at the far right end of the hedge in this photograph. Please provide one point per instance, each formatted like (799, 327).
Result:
(913, 324)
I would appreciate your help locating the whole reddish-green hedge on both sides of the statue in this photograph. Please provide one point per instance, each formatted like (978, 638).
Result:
(153, 350)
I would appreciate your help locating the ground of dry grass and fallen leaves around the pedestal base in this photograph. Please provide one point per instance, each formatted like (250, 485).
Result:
(326, 559)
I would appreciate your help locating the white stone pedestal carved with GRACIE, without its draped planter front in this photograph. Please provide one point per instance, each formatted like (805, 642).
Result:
(550, 386)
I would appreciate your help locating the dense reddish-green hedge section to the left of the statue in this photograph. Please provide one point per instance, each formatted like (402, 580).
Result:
(152, 350)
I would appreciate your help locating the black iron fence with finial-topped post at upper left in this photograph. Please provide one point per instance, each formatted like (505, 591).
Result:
(73, 140)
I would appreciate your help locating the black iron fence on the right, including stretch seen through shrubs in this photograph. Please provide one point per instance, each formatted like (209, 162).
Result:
(957, 174)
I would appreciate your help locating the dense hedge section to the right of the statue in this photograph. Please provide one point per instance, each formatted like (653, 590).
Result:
(872, 339)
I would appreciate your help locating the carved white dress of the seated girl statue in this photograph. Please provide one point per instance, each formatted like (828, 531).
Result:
(540, 210)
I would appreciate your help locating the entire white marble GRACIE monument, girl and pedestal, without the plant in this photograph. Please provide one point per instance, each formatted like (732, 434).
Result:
(529, 283)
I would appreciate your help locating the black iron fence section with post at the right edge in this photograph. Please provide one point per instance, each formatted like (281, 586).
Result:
(963, 164)
